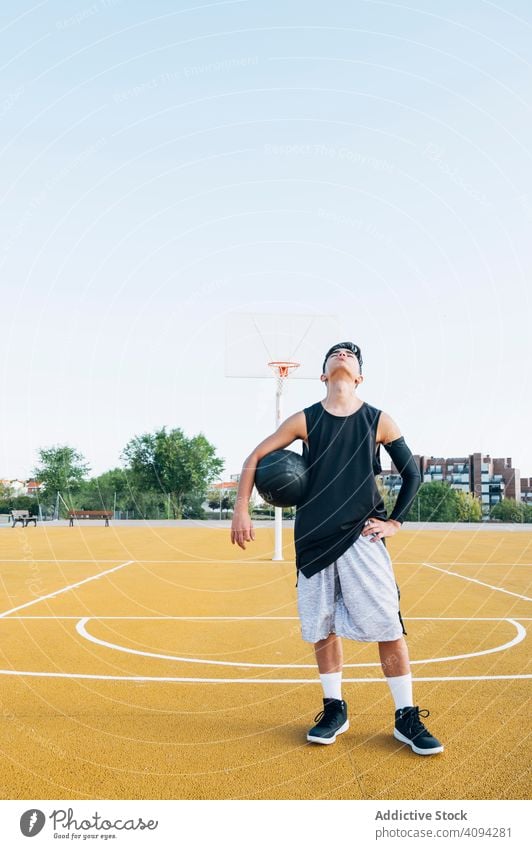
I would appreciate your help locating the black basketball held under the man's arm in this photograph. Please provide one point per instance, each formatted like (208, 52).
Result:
(281, 478)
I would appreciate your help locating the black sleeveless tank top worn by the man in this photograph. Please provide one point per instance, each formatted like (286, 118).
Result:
(342, 491)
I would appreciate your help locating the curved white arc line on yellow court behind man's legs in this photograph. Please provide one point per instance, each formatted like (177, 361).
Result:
(82, 631)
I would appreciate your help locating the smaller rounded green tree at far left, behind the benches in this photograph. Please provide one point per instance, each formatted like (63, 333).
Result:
(61, 469)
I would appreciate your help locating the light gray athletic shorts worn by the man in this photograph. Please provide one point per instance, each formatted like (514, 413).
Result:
(355, 597)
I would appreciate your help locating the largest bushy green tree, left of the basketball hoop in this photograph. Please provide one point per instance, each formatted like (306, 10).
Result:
(172, 464)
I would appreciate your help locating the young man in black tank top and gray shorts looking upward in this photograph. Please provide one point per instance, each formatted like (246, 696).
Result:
(346, 586)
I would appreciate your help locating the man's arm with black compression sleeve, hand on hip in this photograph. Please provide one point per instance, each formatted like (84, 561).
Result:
(389, 435)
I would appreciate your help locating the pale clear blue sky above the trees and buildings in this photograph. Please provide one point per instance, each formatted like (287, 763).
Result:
(165, 163)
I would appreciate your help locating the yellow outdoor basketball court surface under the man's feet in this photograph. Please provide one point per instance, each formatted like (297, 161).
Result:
(164, 663)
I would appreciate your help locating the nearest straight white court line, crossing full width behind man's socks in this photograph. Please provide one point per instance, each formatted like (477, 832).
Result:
(128, 678)
